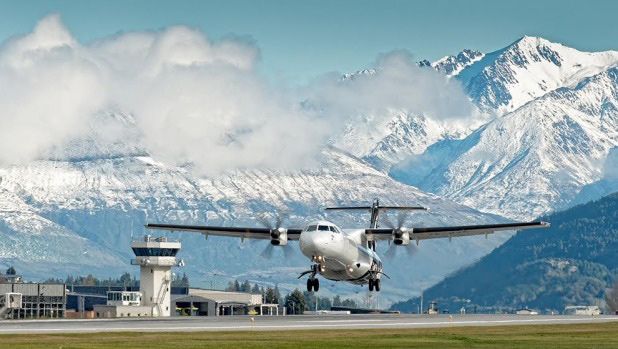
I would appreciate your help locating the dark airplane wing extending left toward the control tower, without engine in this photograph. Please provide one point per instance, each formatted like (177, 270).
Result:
(238, 232)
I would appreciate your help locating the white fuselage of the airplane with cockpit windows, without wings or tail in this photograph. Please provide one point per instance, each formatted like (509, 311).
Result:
(341, 255)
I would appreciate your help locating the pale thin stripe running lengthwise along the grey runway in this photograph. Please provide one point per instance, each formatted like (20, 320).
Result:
(258, 327)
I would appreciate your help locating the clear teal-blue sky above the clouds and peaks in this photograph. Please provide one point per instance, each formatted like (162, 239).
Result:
(302, 39)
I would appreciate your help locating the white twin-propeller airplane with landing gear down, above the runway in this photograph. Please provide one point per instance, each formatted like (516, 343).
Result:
(348, 254)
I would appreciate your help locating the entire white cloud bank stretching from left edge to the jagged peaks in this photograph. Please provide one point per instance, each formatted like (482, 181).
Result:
(193, 100)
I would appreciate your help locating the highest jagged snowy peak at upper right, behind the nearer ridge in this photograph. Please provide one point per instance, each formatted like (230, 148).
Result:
(531, 67)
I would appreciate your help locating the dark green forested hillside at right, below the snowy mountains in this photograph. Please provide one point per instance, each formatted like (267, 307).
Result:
(572, 262)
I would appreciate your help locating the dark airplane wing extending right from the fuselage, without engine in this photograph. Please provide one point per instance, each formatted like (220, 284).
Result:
(455, 231)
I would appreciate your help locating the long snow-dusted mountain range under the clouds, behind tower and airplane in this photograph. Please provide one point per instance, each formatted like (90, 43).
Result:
(77, 212)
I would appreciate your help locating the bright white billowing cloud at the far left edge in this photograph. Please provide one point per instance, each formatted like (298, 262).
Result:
(47, 86)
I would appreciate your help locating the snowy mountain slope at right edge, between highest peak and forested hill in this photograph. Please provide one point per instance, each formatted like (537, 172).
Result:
(529, 161)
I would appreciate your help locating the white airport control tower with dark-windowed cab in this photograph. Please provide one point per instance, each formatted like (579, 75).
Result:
(156, 256)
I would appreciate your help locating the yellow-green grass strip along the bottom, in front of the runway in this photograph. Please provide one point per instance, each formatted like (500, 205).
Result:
(597, 335)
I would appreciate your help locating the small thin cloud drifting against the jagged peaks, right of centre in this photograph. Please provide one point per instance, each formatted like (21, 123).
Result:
(395, 82)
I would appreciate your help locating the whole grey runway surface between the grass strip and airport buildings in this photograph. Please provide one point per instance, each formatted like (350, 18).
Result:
(272, 323)
